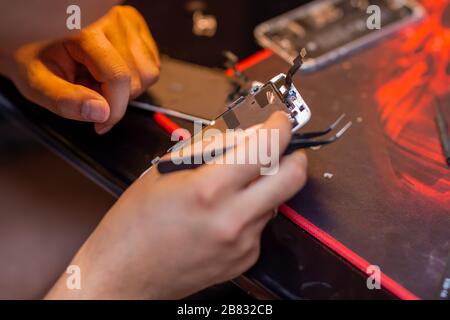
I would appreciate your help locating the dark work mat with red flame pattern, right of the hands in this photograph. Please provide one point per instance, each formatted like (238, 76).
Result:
(389, 197)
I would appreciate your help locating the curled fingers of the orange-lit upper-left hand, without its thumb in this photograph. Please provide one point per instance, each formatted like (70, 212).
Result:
(121, 55)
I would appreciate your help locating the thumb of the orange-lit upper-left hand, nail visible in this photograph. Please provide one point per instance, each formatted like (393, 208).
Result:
(71, 101)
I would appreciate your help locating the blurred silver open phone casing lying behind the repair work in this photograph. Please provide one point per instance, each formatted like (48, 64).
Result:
(332, 29)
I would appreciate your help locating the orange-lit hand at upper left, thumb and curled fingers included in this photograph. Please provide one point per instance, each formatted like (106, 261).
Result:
(91, 76)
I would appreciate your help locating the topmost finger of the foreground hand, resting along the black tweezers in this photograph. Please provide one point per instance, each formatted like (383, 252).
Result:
(277, 130)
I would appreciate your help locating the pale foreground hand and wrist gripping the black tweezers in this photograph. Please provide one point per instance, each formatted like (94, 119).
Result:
(170, 236)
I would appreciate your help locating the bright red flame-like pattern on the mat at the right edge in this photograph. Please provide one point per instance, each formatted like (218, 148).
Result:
(406, 100)
